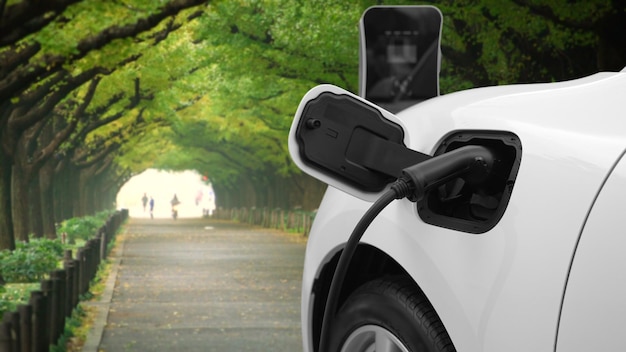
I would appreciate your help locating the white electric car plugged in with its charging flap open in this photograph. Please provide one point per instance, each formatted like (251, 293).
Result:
(525, 254)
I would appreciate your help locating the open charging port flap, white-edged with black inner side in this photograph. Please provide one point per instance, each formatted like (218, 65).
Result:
(348, 142)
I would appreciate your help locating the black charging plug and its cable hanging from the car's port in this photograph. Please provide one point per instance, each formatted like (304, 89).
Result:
(473, 163)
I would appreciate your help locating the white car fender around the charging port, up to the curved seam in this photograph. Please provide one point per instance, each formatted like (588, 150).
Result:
(500, 290)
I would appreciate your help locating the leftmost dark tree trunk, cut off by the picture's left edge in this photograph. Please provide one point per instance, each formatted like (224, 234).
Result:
(7, 239)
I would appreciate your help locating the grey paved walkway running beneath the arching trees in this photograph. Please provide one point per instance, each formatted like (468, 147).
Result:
(198, 285)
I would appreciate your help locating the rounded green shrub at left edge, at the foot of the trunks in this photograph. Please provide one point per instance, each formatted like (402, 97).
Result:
(30, 261)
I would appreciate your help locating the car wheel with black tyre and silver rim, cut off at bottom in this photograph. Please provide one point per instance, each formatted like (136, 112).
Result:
(388, 315)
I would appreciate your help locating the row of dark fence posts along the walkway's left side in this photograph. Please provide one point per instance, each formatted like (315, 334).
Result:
(36, 326)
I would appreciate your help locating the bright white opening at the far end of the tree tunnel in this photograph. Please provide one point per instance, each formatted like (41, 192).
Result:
(193, 194)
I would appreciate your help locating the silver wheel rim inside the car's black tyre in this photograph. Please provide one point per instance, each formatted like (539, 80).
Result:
(373, 338)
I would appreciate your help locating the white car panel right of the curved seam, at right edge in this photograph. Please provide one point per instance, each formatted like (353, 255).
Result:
(594, 312)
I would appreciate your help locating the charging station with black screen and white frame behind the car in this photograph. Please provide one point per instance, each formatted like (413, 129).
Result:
(400, 55)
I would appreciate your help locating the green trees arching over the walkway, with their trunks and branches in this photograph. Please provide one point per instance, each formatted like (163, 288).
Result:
(92, 92)
